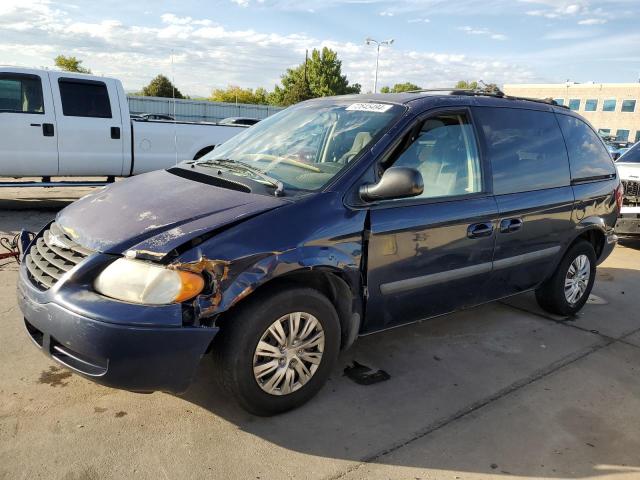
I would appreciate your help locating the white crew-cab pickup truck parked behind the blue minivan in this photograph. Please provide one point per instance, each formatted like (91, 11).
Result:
(65, 124)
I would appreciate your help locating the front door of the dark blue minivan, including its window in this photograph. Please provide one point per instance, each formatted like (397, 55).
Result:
(432, 254)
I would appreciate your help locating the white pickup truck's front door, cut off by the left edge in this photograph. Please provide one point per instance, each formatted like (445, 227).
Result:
(29, 143)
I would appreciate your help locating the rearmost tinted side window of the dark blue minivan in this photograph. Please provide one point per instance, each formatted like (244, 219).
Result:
(588, 157)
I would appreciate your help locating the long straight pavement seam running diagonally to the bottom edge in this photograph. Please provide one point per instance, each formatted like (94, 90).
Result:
(464, 412)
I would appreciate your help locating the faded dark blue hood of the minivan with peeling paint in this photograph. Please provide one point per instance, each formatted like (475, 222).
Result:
(155, 213)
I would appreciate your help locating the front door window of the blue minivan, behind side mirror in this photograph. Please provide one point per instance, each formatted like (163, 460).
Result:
(446, 154)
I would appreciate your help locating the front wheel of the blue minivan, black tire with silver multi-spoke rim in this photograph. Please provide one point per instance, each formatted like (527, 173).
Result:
(235, 350)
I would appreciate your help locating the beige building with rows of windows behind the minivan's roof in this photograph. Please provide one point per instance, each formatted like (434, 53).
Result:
(612, 108)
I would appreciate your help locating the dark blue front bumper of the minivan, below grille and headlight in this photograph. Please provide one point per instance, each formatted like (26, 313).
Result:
(136, 358)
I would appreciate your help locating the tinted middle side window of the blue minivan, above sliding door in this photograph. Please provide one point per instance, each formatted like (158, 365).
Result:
(525, 148)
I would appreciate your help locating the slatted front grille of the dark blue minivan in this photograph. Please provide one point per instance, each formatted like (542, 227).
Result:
(51, 256)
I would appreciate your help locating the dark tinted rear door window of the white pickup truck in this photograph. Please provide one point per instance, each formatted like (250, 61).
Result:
(84, 98)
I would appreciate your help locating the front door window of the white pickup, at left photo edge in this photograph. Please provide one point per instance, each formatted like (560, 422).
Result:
(21, 93)
